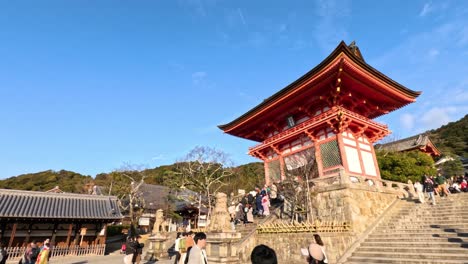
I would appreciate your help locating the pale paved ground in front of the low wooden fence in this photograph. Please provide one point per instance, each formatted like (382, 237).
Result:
(108, 259)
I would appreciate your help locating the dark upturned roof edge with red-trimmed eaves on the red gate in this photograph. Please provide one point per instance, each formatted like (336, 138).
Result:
(330, 62)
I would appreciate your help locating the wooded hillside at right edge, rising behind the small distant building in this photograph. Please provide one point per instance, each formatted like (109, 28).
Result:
(452, 138)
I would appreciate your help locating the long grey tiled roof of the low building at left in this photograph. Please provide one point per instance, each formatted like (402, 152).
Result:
(28, 204)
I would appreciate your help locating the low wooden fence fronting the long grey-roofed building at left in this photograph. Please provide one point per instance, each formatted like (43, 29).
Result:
(15, 253)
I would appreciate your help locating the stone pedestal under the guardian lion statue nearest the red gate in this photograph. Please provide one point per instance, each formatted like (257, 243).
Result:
(220, 247)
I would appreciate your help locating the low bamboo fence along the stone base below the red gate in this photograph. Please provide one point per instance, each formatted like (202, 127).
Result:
(304, 227)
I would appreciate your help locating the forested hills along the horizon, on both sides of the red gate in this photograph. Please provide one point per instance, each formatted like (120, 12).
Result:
(449, 139)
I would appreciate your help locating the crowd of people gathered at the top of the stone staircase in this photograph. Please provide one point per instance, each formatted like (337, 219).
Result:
(439, 186)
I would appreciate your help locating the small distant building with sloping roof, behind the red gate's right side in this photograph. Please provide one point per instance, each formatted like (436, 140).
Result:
(420, 142)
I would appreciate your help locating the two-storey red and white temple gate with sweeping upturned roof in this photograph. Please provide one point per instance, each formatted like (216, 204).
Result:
(328, 113)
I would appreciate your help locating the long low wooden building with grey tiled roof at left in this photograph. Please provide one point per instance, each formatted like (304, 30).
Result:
(66, 219)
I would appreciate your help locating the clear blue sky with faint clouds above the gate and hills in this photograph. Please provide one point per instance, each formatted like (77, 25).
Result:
(90, 85)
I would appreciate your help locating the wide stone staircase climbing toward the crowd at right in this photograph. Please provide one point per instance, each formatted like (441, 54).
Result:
(419, 233)
